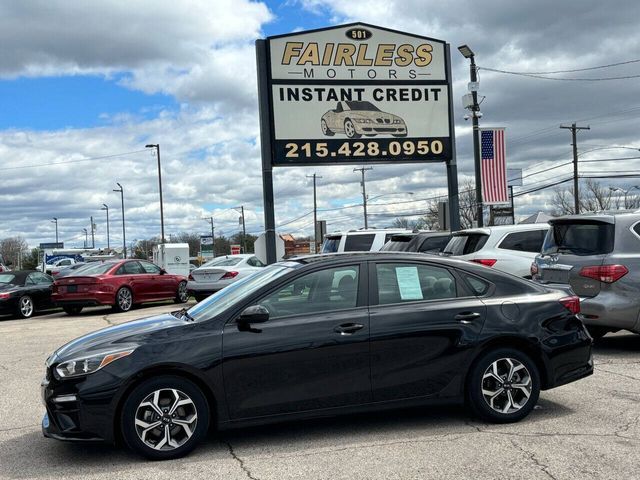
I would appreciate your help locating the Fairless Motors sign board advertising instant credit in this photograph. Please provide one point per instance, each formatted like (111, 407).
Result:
(358, 94)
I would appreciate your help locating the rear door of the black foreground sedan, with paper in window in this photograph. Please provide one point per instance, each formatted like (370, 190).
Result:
(423, 322)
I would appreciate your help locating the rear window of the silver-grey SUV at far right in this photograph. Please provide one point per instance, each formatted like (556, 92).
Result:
(579, 238)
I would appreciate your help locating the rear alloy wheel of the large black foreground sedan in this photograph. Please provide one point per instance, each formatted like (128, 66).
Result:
(506, 385)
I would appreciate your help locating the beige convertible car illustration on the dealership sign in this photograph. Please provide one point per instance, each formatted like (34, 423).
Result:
(355, 119)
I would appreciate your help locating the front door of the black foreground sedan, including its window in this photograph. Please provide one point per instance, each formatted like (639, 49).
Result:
(312, 353)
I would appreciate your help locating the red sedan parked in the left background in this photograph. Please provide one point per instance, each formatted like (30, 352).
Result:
(120, 283)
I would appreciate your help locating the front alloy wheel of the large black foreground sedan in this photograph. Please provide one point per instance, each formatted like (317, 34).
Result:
(166, 419)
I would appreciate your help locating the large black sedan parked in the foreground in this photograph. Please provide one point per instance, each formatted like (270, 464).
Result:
(316, 336)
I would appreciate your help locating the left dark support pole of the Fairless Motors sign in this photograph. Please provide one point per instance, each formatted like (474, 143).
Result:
(266, 151)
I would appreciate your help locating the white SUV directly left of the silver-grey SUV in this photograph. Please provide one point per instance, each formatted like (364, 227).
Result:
(510, 248)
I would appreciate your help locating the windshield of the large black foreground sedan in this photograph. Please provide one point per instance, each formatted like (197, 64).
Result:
(228, 296)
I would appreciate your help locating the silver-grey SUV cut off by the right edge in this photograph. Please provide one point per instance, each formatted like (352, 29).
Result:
(598, 256)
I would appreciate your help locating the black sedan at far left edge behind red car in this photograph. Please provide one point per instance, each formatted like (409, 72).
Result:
(24, 292)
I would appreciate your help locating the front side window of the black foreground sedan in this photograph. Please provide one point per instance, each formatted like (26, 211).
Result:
(324, 290)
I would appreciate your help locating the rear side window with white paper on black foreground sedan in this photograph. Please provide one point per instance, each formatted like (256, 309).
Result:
(406, 282)
